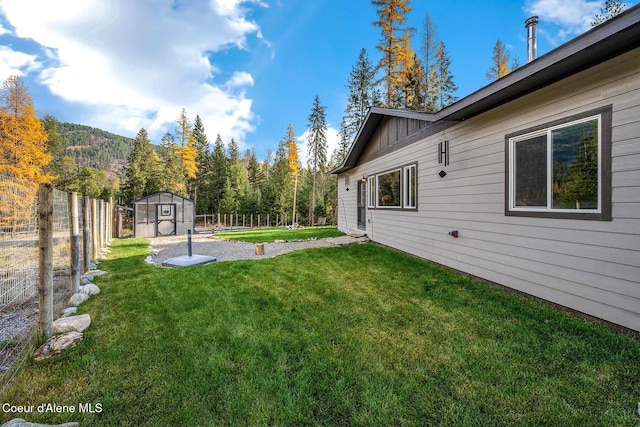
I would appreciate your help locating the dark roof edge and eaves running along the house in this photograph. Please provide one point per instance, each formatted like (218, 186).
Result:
(606, 41)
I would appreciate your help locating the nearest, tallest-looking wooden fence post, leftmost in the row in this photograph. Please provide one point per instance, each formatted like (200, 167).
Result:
(45, 260)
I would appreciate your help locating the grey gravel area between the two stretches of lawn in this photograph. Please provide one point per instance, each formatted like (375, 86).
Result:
(164, 248)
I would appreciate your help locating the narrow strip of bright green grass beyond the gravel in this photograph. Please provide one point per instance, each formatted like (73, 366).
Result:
(264, 235)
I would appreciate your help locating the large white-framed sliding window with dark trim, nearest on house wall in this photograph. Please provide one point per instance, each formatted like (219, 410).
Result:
(562, 169)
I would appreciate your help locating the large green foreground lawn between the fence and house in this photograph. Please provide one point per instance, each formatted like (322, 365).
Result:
(355, 335)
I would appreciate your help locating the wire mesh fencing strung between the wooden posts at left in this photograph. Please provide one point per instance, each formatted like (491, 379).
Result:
(20, 272)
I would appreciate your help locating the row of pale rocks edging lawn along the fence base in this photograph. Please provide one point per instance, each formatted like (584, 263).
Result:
(68, 330)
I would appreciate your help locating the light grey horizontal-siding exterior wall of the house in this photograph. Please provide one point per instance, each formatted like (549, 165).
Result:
(586, 265)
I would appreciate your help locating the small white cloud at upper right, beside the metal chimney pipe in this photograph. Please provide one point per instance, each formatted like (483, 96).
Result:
(572, 17)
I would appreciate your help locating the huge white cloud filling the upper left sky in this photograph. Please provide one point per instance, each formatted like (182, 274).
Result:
(135, 64)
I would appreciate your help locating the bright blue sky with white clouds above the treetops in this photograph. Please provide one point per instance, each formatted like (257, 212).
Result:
(248, 68)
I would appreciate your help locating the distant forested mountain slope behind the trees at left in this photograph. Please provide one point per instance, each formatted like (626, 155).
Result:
(96, 148)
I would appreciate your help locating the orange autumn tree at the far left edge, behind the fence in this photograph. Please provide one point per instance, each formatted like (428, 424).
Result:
(23, 150)
